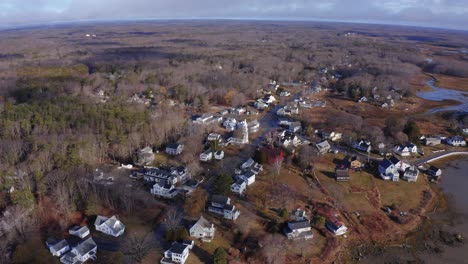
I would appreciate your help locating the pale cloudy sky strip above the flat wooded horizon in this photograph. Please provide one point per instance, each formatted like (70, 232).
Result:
(434, 13)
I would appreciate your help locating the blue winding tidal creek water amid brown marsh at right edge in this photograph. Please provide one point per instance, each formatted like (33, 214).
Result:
(440, 94)
